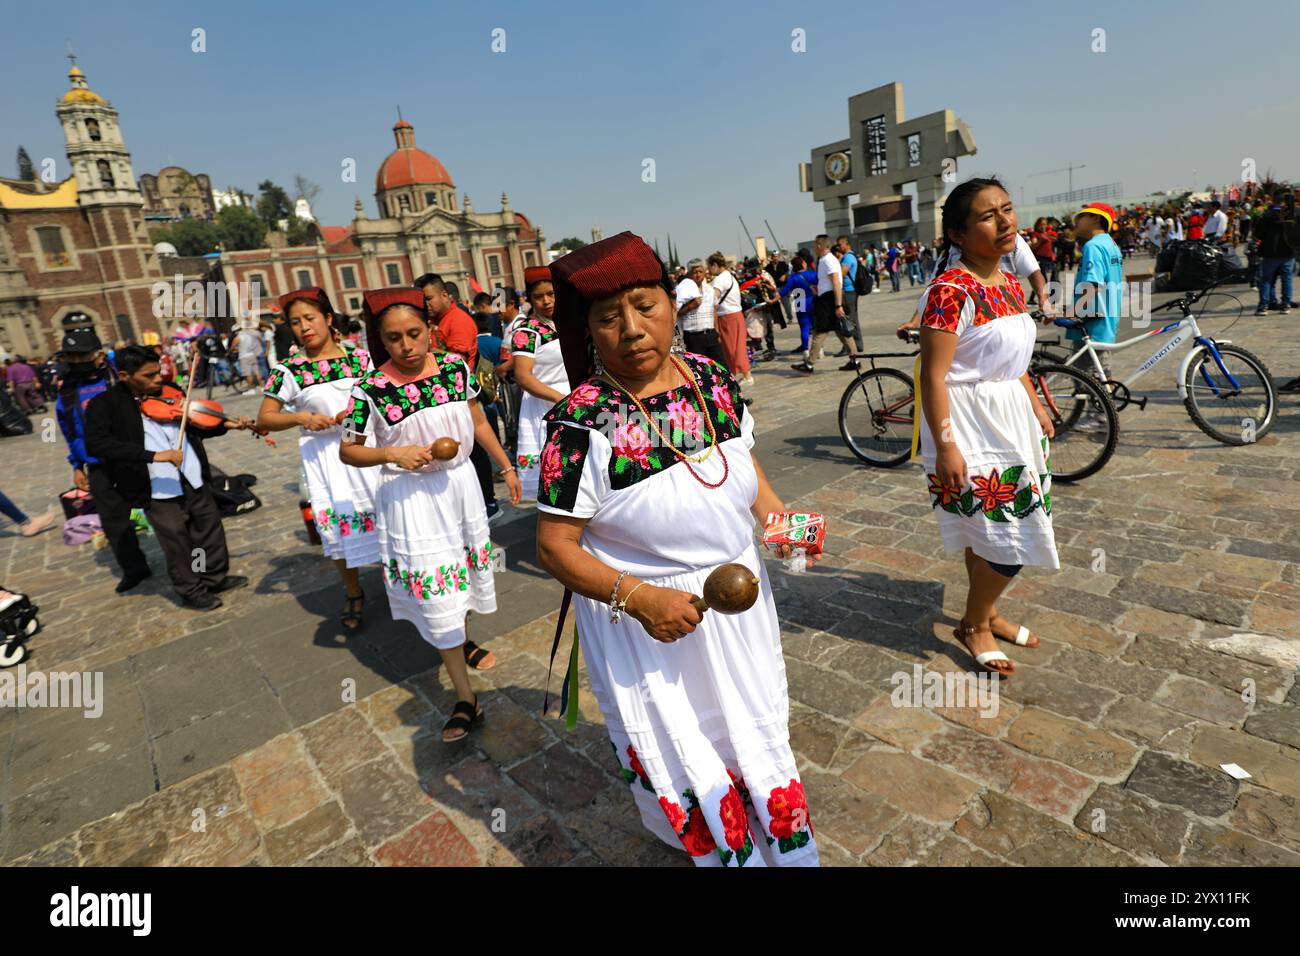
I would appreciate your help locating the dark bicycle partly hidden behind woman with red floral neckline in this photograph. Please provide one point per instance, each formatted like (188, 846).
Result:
(878, 410)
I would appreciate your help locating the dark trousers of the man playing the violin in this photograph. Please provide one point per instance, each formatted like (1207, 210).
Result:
(193, 540)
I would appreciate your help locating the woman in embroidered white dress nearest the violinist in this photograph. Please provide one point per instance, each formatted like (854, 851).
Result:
(313, 391)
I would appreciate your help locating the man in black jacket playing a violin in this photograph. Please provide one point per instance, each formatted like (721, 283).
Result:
(151, 469)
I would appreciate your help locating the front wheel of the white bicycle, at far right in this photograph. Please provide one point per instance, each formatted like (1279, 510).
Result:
(1232, 416)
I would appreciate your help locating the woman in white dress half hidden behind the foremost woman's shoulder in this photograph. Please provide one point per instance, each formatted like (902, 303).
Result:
(539, 367)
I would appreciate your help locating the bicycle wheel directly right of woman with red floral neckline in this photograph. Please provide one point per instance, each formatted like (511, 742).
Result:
(1084, 417)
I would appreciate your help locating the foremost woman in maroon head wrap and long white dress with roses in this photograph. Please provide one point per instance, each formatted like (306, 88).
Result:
(648, 483)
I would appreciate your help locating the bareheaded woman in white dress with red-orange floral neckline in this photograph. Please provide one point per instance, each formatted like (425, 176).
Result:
(983, 432)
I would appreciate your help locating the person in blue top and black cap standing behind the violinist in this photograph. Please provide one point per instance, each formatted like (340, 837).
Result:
(90, 375)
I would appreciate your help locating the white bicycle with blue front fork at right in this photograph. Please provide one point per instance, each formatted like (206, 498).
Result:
(1227, 390)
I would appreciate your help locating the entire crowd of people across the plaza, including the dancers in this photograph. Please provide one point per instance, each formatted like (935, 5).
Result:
(630, 427)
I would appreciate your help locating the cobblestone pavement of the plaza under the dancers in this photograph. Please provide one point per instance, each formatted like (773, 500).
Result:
(227, 738)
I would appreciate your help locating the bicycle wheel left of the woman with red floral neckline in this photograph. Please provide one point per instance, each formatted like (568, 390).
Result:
(876, 417)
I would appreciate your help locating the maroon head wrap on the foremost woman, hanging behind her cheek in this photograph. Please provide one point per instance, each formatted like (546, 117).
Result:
(597, 272)
